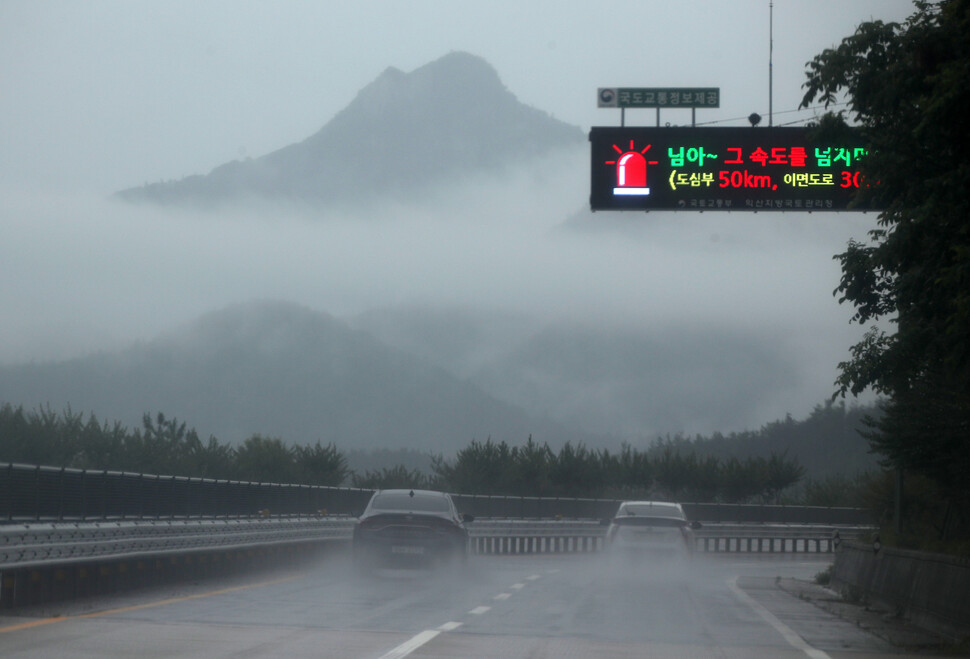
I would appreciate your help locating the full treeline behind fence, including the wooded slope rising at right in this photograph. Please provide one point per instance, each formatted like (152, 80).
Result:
(751, 467)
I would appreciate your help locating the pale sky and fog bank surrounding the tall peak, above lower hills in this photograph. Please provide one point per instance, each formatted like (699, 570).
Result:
(100, 96)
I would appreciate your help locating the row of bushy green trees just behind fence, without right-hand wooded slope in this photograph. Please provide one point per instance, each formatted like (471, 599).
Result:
(167, 446)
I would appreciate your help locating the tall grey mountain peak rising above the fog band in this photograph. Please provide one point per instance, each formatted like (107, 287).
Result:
(403, 133)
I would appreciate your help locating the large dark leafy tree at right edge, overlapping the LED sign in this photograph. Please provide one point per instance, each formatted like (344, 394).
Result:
(908, 88)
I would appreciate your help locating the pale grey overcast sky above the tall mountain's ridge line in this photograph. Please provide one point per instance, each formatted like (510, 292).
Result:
(107, 95)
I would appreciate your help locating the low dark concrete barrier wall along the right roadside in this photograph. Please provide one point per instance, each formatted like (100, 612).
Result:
(932, 590)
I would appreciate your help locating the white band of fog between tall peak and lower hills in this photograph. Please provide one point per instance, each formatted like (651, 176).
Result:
(86, 274)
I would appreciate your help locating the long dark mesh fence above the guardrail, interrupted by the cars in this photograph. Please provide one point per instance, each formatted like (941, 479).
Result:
(31, 492)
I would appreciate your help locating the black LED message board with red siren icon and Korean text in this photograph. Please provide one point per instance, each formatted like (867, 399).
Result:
(742, 169)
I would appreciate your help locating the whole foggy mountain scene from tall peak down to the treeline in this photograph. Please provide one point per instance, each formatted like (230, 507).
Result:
(432, 276)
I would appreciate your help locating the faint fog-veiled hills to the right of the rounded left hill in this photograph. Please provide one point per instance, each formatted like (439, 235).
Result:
(601, 379)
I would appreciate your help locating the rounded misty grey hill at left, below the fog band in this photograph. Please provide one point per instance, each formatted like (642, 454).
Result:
(278, 369)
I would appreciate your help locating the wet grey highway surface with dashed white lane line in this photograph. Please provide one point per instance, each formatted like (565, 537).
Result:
(504, 607)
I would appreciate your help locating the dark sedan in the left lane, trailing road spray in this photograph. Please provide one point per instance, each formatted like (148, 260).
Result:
(410, 528)
